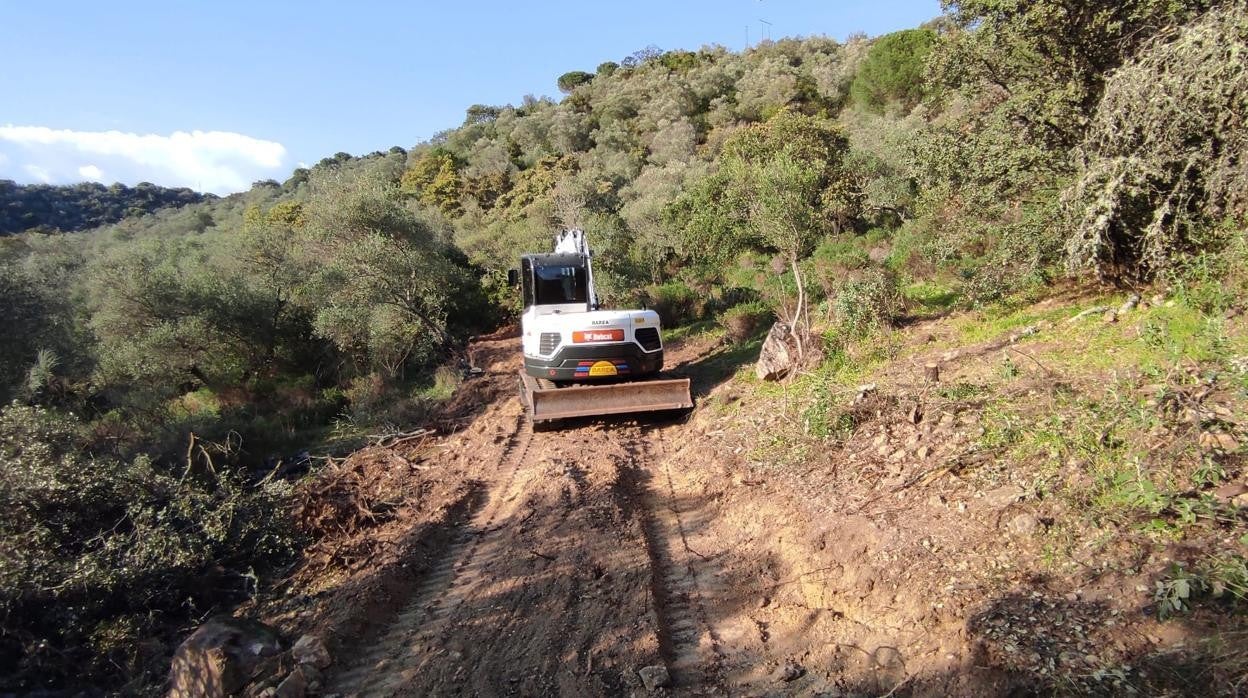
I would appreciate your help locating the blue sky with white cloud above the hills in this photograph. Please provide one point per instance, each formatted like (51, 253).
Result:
(215, 96)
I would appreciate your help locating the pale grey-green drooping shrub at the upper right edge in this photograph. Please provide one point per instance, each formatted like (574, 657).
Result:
(1164, 157)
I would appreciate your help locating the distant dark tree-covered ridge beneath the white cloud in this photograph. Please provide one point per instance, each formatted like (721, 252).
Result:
(83, 207)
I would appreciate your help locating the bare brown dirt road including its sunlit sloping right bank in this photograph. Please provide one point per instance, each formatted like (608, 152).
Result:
(575, 560)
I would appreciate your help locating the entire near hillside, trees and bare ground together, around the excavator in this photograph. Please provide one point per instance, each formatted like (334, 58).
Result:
(264, 405)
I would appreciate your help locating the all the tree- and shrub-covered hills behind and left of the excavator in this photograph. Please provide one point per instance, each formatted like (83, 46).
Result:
(187, 342)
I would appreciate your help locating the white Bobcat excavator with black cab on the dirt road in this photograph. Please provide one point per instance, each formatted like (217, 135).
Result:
(581, 360)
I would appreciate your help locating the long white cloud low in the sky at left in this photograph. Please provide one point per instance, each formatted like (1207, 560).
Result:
(219, 162)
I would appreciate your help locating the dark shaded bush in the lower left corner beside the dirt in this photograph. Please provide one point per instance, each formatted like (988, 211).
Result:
(98, 556)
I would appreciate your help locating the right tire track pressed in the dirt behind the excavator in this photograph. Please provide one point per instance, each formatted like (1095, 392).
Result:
(687, 639)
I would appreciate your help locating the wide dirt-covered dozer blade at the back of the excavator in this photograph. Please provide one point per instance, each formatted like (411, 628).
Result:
(612, 399)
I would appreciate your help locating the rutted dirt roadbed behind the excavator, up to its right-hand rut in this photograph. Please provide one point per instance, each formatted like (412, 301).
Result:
(567, 578)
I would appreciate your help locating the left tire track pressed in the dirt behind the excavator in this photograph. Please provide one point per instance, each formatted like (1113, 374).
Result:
(391, 661)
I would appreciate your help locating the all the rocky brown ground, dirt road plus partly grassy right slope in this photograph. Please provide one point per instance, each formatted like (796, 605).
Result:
(858, 533)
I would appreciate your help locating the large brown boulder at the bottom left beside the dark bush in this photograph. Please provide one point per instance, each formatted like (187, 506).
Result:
(220, 657)
